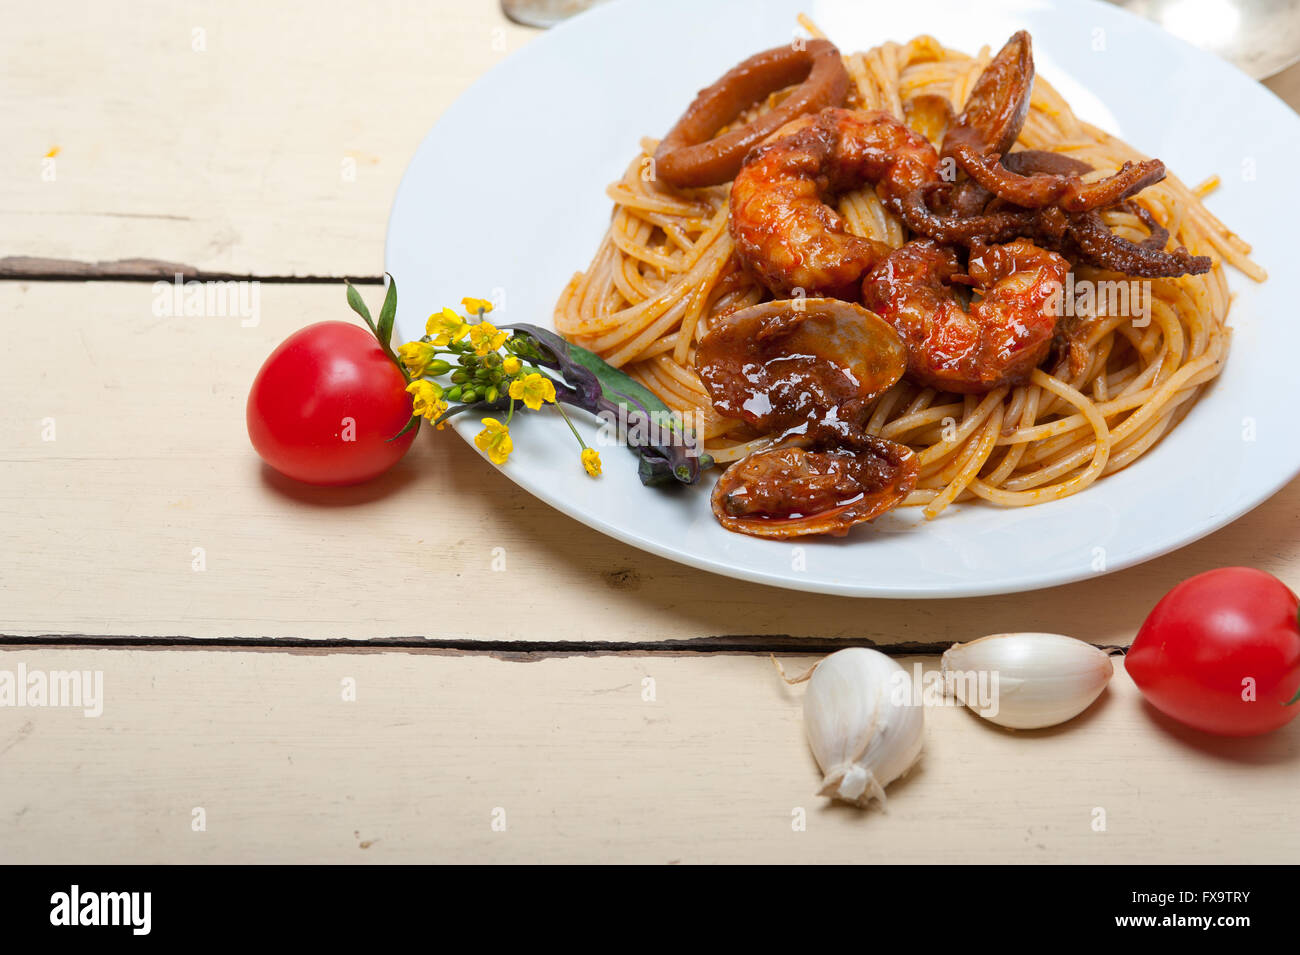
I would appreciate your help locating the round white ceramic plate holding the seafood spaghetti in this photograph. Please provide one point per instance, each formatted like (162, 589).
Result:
(506, 198)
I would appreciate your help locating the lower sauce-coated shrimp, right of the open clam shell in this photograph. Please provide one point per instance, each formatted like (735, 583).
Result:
(1004, 336)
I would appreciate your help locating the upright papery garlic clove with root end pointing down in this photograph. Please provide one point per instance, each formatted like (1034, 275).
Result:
(864, 722)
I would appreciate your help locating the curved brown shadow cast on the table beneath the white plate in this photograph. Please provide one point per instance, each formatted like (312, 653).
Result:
(674, 600)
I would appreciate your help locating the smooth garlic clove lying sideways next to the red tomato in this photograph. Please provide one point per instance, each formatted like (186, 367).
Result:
(1028, 680)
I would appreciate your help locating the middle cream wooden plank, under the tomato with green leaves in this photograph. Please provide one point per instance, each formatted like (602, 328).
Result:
(151, 461)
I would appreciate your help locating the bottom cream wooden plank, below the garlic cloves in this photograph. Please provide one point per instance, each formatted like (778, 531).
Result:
(584, 769)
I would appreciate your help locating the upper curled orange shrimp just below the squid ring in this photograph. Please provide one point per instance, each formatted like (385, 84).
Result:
(785, 231)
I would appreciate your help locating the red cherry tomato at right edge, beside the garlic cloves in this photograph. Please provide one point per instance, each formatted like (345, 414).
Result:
(1221, 653)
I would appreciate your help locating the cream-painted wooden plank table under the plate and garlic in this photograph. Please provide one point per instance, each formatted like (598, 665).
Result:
(603, 704)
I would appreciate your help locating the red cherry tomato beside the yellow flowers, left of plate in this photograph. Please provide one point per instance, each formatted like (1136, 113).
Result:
(326, 403)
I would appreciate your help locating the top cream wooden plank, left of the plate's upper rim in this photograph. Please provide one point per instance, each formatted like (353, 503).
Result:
(236, 138)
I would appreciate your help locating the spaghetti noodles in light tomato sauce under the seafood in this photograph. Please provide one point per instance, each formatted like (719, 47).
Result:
(666, 272)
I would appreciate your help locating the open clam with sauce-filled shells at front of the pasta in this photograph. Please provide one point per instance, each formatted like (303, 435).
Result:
(809, 368)
